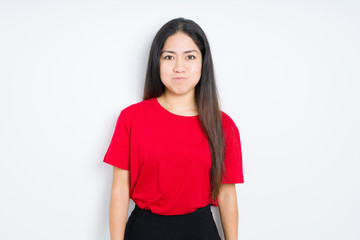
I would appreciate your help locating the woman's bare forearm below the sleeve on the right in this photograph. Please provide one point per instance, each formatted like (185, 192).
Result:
(228, 211)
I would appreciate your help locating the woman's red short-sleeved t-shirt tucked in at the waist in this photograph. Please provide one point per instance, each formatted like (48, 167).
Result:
(169, 157)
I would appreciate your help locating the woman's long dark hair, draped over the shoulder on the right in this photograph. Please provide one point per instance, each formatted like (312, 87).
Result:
(206, 94)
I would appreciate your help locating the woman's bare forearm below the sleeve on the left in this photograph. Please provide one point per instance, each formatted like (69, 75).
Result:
(119, 203)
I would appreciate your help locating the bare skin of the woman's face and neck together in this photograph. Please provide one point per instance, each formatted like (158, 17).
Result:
(180, 58)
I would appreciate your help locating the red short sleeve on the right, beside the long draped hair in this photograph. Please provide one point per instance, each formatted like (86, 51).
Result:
(232, 155)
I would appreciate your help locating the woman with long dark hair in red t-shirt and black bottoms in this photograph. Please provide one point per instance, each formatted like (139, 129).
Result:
(175, 153)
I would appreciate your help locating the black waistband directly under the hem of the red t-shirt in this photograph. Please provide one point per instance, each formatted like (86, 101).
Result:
(197, 215)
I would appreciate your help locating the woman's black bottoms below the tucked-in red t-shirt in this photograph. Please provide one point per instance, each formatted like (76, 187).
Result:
(198, 225)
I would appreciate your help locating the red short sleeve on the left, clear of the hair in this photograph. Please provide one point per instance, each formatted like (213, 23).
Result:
(118, 151)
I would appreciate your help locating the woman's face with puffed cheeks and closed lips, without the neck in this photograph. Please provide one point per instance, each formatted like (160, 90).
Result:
(180, 65)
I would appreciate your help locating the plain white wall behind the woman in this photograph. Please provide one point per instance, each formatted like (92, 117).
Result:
(287, 73)
